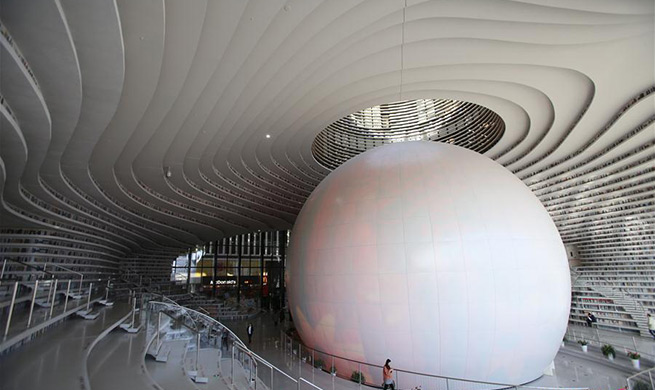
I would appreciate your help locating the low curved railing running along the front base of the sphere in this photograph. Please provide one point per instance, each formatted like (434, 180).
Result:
(368, 374)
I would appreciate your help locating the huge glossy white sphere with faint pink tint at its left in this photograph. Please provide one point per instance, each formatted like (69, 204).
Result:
(433, 256)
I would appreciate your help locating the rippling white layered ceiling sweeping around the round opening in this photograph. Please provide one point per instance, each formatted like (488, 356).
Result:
(101, 99)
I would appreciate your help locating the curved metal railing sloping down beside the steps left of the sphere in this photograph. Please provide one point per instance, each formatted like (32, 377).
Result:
(245, 365)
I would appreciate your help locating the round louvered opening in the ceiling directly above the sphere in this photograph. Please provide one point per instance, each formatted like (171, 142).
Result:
(443, 120)
